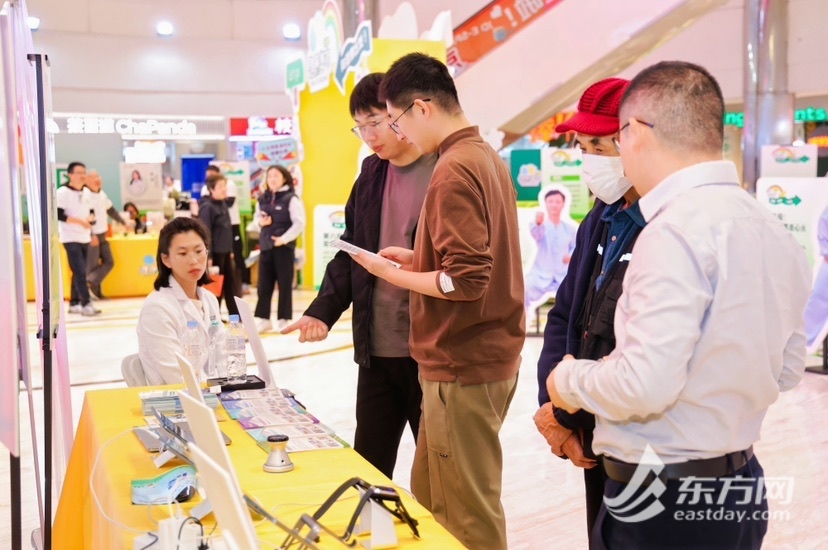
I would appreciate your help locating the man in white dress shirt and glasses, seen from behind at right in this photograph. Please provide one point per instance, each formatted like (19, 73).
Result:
(709, 329)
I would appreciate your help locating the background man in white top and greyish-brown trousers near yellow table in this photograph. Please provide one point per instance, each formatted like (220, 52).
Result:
(99, 262)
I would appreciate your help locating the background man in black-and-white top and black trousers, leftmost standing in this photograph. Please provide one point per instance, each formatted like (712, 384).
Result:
(75, 217)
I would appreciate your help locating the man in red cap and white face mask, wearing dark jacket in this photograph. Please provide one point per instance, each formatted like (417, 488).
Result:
(581, 323)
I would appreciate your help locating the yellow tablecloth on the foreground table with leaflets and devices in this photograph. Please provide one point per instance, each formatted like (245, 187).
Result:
(79, 522)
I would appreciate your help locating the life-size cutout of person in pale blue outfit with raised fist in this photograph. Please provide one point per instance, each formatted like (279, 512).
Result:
(555, 238)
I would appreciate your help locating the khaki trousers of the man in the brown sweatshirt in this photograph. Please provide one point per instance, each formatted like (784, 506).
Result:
(458, 465)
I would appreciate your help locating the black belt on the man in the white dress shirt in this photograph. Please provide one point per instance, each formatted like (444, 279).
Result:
(719, 466)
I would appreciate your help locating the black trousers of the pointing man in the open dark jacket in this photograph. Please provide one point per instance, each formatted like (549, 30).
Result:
(388, 397)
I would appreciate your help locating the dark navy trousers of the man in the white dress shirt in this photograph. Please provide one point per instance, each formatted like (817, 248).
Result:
(713, 531)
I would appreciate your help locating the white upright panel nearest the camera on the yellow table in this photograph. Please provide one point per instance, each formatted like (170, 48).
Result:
(225, 495)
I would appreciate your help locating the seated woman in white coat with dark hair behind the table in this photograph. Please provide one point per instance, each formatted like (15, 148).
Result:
(183, 248)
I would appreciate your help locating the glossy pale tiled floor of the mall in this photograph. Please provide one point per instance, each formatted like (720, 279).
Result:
(543, 495)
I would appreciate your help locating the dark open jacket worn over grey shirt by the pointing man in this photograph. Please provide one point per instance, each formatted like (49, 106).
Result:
(346, 281)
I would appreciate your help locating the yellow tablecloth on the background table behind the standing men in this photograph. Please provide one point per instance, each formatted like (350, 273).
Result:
(133, 274)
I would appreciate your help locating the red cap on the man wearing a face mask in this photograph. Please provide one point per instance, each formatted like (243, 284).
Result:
(597, 109)
